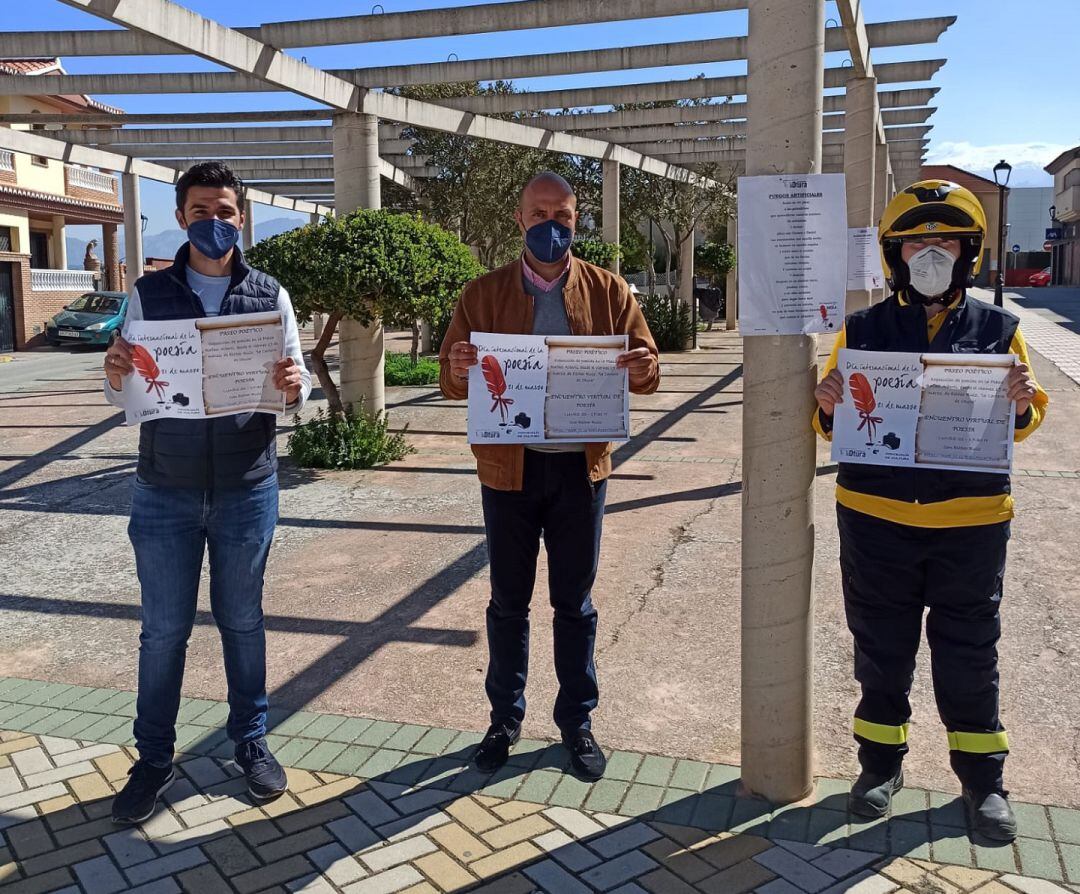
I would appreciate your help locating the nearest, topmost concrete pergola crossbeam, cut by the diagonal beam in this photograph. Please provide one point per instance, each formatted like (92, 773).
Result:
(505, 17)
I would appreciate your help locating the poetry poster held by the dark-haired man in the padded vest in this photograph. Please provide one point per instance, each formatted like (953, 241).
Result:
(204, 369)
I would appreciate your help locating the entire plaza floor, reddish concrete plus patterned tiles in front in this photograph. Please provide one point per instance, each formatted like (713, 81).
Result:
(375, 603)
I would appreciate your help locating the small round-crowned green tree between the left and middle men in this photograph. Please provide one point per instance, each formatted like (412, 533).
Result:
(370, 266)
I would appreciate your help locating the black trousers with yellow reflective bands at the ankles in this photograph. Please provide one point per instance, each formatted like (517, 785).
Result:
(892, 573)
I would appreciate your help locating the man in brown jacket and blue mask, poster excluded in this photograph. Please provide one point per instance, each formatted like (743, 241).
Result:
(555, 492)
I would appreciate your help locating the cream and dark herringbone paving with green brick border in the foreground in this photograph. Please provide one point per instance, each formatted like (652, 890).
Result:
(377, 808)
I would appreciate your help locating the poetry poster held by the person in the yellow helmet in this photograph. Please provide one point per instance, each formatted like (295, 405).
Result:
(926, 411)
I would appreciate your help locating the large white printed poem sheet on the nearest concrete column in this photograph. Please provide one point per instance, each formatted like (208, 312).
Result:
(793, 245)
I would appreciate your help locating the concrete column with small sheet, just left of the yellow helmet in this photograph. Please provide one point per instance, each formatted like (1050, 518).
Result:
(860, 140)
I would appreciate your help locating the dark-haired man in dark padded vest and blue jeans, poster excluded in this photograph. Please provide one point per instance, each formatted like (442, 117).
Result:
(205, 485)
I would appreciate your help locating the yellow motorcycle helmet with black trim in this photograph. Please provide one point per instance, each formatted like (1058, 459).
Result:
(933, 209)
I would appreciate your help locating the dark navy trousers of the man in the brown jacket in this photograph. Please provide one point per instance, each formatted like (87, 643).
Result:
(559, 503)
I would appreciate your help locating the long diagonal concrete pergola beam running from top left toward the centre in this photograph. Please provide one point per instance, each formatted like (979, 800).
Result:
(202, 37)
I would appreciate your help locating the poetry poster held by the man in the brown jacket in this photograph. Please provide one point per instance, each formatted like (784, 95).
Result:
(548, 390)
